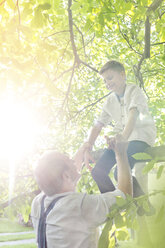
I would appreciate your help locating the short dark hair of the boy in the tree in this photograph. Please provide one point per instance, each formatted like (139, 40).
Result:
(112, 65)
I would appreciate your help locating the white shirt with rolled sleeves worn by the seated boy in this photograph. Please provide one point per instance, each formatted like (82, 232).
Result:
(117, 109)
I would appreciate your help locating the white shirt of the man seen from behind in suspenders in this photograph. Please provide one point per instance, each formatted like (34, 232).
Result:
(74, 219)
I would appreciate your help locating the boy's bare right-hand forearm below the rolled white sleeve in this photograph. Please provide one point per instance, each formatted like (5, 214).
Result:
(132, 117)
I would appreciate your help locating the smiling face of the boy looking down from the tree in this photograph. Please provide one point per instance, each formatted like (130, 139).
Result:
(114, 80)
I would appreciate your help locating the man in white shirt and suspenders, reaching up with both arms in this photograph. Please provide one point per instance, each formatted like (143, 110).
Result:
(73, 220)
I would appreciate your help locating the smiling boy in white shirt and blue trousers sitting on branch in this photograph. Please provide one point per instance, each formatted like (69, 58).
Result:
(127, 107)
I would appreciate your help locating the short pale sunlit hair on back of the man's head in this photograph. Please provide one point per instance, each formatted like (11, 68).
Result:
(49, 172)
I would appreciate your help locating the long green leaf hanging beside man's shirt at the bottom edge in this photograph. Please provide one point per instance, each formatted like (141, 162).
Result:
(104, 238)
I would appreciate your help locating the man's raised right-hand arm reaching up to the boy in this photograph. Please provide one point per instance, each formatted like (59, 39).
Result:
(123, 168)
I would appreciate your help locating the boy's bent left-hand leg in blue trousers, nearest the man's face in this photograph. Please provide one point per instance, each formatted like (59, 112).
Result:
(101, 170)
